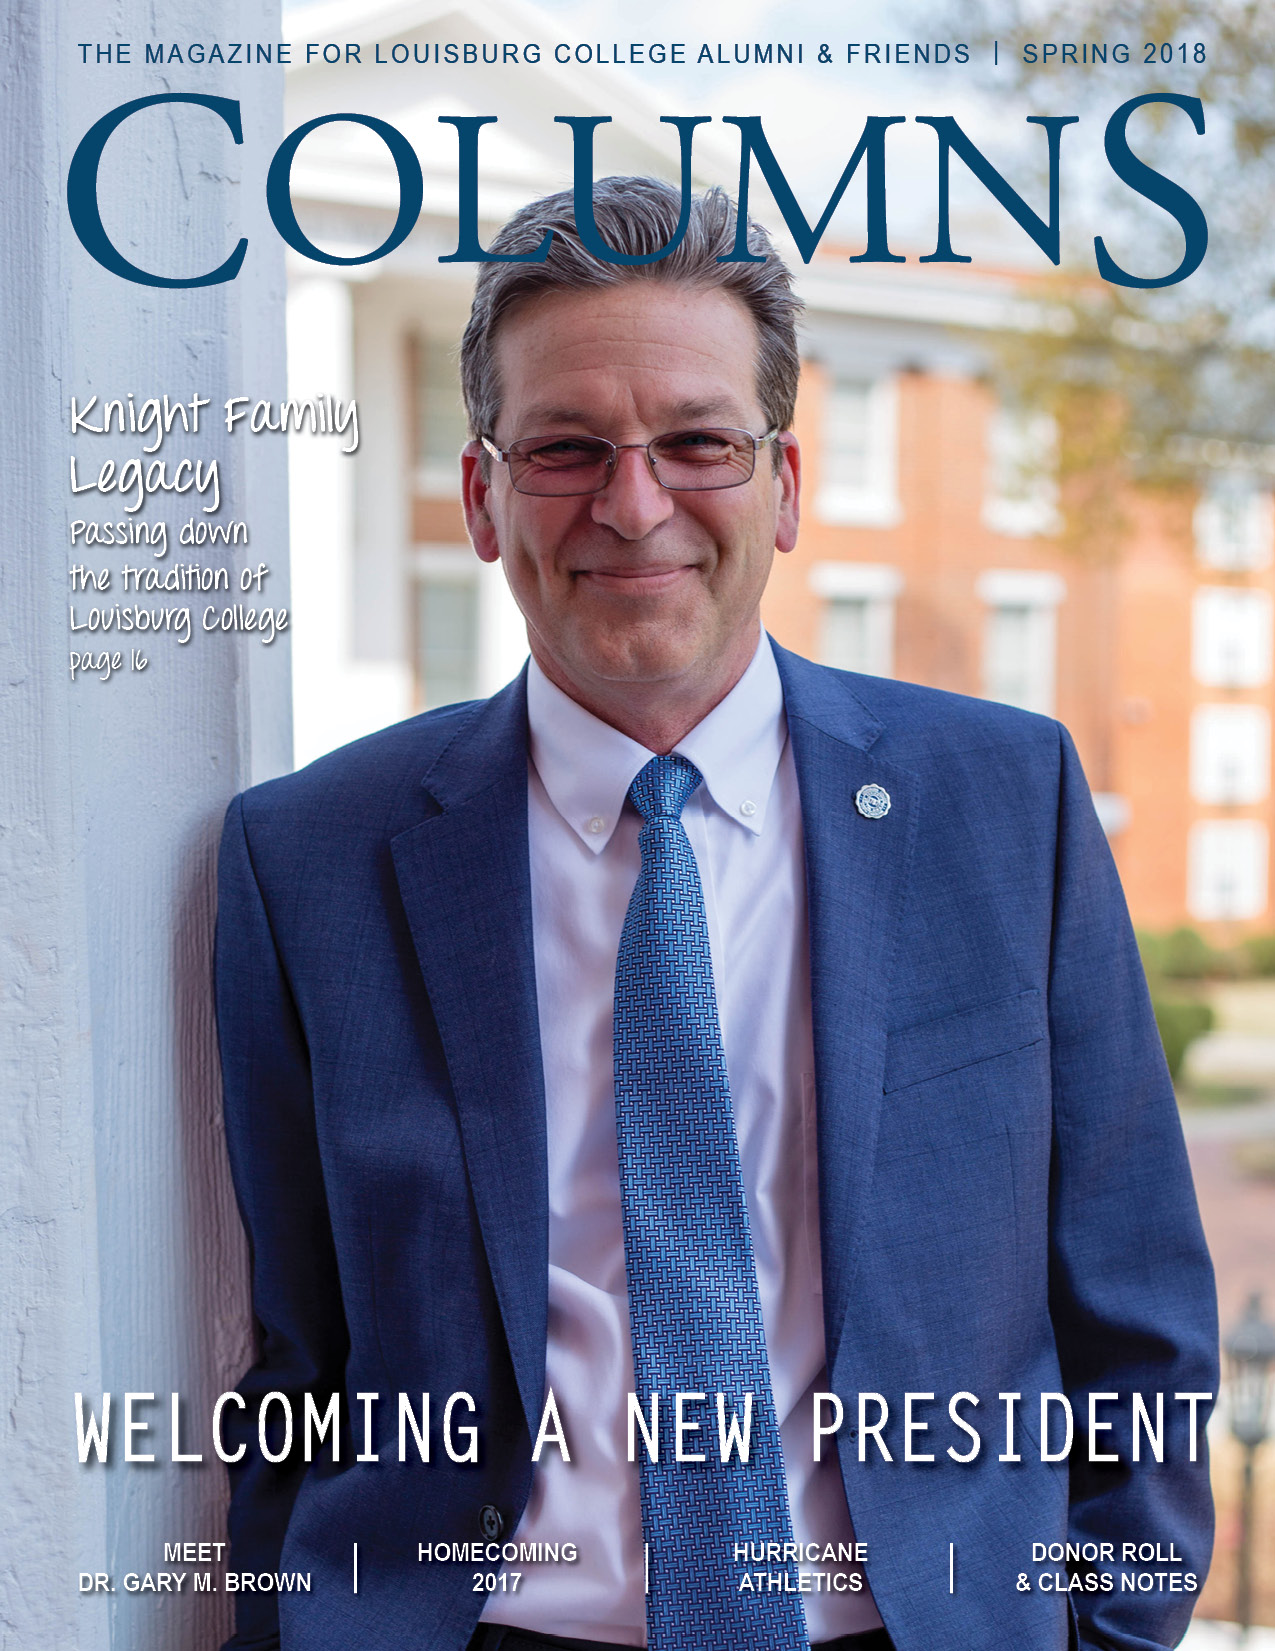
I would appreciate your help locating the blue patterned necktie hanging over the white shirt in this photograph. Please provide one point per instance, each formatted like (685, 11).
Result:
(694, 1307)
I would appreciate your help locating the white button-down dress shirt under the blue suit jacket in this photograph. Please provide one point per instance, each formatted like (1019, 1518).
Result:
(746, 828)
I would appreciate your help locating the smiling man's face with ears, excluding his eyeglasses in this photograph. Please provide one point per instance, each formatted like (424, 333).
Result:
(635, 587)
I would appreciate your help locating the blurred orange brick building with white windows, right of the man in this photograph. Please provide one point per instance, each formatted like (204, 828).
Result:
(931, 552)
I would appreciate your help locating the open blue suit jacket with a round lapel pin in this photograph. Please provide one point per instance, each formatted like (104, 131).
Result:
(1005, 1198)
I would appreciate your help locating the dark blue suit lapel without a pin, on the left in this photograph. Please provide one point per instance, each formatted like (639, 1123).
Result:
(465, 881)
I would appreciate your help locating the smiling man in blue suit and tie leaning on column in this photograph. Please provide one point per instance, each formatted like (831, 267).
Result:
(724, 1086)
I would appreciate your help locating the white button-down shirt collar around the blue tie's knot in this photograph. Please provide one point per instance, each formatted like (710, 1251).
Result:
(587, 767)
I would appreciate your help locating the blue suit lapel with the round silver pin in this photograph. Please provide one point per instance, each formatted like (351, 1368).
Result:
(856, 874)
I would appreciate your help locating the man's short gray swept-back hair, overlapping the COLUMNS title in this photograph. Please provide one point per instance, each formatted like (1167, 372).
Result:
(635, 217)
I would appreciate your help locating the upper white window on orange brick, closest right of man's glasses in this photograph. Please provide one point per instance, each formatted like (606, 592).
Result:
(860, 455)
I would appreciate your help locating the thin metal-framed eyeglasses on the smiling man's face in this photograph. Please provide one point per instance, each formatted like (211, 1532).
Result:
(686, 461)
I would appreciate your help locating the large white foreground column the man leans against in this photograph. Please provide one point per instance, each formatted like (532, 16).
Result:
(123, 1261)
